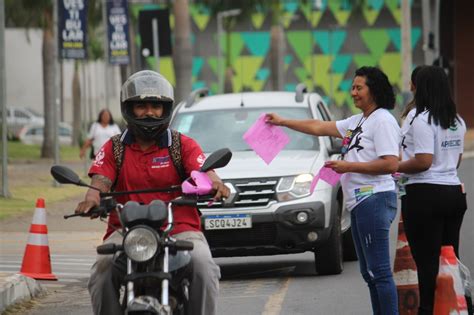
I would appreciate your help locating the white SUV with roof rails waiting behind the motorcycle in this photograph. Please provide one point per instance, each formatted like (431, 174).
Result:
(271, 209)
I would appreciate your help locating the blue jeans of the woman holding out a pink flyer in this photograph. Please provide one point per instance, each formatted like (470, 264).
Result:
(370, 222)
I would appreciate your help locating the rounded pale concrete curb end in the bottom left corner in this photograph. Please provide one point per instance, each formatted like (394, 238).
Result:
(15, 288)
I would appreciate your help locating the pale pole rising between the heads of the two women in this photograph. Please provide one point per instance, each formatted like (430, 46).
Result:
(406, 49)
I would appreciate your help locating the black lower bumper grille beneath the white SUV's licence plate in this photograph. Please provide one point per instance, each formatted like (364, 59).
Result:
(259, 235)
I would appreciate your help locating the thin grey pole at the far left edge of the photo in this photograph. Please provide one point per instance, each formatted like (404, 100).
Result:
(5, 192)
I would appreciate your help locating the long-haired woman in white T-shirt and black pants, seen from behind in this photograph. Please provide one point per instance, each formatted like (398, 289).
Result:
(435, 201)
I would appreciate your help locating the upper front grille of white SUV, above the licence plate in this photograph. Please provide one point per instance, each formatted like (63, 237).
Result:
(253, 192)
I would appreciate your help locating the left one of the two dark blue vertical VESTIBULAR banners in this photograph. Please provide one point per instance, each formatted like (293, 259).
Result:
(72, 29)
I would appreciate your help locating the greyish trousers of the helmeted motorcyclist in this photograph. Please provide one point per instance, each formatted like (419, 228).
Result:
(104, 286)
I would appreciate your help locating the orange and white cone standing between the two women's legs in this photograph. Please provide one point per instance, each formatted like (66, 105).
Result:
(405, 275)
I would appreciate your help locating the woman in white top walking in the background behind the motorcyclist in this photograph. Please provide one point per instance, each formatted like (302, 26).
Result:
(99, 132)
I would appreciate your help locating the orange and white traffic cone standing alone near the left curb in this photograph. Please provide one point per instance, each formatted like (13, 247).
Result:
(36, 261)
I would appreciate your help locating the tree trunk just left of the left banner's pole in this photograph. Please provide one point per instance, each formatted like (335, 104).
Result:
(47, 150)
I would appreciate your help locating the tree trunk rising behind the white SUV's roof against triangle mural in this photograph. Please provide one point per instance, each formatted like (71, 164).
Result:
(277, 48)
